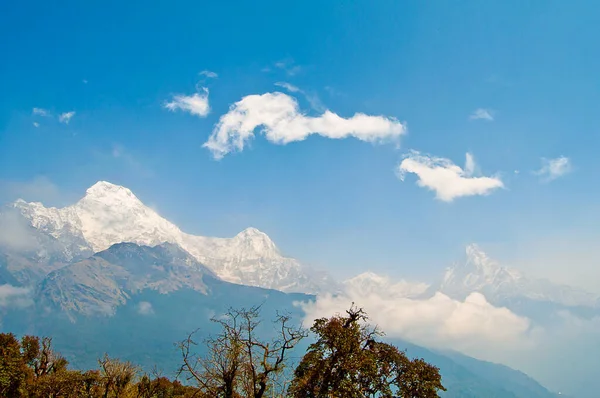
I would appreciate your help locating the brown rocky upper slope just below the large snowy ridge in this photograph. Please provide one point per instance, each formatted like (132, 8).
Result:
(101, 283)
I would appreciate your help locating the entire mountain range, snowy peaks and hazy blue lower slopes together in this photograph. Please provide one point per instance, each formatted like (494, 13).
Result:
(134, 283)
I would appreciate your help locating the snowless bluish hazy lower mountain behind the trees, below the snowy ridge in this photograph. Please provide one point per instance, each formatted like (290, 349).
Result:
(135, 302)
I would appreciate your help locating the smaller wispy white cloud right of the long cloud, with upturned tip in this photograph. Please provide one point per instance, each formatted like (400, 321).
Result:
(446, 179)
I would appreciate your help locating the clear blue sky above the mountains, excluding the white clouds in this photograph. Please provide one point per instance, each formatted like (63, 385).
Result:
(333, 203)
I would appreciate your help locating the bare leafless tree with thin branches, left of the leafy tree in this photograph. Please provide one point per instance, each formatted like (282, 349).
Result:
(239, 363)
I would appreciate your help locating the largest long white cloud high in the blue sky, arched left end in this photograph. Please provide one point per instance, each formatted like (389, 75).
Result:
(281, 121)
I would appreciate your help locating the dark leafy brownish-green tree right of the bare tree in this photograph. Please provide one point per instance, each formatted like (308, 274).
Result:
(347, 361)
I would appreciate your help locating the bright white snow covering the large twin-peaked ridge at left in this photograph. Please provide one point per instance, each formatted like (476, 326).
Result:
(110, 214)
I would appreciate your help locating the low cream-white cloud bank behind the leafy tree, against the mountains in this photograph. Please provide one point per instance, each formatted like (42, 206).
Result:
(436, 321)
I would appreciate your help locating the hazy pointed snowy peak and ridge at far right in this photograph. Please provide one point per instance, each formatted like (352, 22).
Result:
(480, 273)
